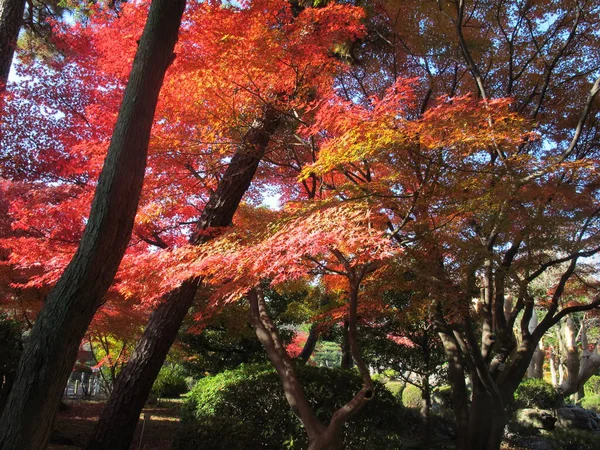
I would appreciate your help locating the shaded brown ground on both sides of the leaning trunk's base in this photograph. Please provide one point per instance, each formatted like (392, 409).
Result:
(75, 423)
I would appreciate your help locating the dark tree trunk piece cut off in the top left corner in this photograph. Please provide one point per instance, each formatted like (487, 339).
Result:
(11, 19)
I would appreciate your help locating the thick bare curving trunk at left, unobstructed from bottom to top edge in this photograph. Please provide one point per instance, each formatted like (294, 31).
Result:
(50, 354)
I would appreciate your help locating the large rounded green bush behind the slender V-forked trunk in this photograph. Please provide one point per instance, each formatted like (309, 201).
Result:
(249, 403)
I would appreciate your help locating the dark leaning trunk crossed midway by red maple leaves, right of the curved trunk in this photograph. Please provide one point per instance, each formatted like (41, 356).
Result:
(119, 418)
